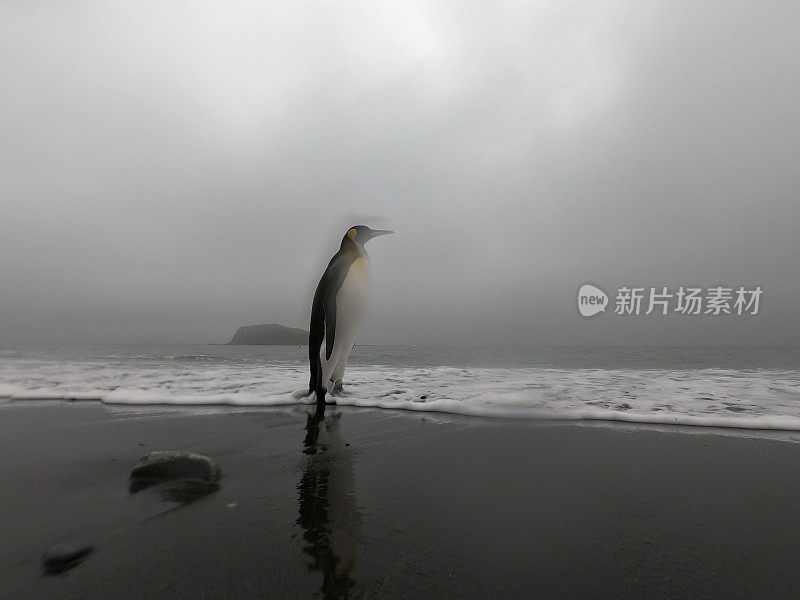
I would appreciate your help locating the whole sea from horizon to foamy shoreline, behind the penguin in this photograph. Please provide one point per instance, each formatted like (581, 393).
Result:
(755, 388)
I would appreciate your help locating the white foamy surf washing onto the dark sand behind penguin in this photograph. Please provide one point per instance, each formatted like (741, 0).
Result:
(757, 399)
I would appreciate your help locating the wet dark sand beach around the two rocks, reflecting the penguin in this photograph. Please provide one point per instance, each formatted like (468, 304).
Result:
(397, 505)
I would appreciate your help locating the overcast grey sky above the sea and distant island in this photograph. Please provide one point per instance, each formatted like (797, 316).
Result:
(173, 170)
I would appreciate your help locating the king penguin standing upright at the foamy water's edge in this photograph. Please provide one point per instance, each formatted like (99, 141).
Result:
(338, 308)
